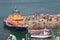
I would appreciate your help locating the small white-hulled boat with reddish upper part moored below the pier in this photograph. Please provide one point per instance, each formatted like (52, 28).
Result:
(44, 33)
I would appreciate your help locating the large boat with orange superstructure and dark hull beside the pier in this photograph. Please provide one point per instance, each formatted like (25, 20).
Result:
(16, 21)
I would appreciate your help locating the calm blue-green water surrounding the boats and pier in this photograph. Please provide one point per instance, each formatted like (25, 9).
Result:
(26, 7)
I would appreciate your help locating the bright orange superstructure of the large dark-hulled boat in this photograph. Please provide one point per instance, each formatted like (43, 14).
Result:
(15, 19)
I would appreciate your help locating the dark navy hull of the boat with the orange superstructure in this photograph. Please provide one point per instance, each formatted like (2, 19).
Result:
(16, 27)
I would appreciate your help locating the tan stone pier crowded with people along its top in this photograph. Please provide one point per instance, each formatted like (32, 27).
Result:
(42, 21)
